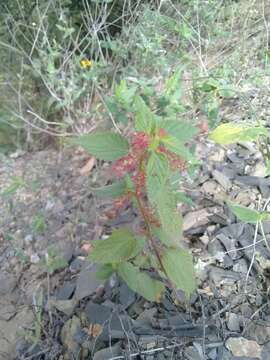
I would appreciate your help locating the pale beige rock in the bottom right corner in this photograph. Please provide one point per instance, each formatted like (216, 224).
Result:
(243, 347)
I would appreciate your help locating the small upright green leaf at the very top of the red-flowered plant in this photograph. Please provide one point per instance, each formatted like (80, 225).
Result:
(144, 118)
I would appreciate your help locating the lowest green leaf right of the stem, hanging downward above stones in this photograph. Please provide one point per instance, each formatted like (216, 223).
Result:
(179, 268)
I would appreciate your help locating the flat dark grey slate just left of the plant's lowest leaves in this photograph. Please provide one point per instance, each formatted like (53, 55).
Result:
(86, 284)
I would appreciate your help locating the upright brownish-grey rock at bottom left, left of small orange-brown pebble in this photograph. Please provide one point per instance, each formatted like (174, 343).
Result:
(68, 332)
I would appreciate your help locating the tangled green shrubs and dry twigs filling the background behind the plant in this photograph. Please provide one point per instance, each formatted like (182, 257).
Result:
(48, 92)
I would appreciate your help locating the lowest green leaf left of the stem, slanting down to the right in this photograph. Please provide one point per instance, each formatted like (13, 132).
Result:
(141, 282)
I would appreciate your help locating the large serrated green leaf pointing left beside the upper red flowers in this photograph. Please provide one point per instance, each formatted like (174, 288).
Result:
(104, 145)
